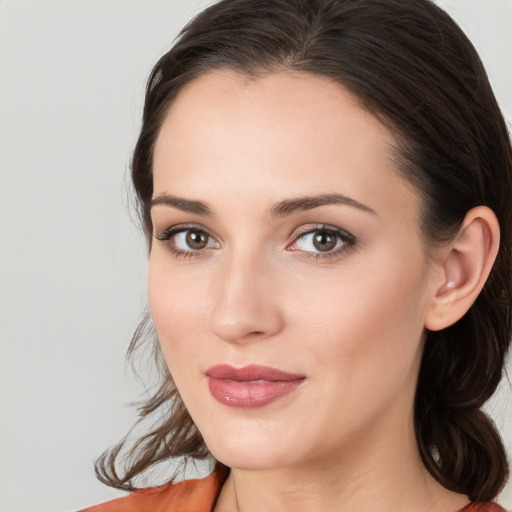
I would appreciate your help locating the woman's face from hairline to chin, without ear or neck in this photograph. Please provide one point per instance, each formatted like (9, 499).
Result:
(287, 278)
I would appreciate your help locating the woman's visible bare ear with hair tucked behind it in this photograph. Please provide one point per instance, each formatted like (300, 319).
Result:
(463, 269)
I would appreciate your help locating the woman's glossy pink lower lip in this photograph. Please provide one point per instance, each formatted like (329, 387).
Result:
(250, 394)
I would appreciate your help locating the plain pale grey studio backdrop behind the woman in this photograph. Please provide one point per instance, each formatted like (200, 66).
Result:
(72, 264)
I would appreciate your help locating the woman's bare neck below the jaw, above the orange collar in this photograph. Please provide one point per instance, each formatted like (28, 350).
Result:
(374, 472)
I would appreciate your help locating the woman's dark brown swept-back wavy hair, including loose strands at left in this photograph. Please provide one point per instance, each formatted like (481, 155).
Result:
(412, 67)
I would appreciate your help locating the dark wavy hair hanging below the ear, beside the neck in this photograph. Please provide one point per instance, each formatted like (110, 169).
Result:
(458, 442)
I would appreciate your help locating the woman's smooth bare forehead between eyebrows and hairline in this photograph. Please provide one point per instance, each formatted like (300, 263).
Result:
(280, 135)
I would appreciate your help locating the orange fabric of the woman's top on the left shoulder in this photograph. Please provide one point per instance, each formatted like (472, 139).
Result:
(196, 495)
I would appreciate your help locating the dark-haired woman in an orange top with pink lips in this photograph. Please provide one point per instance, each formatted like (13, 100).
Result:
(325, 187)
